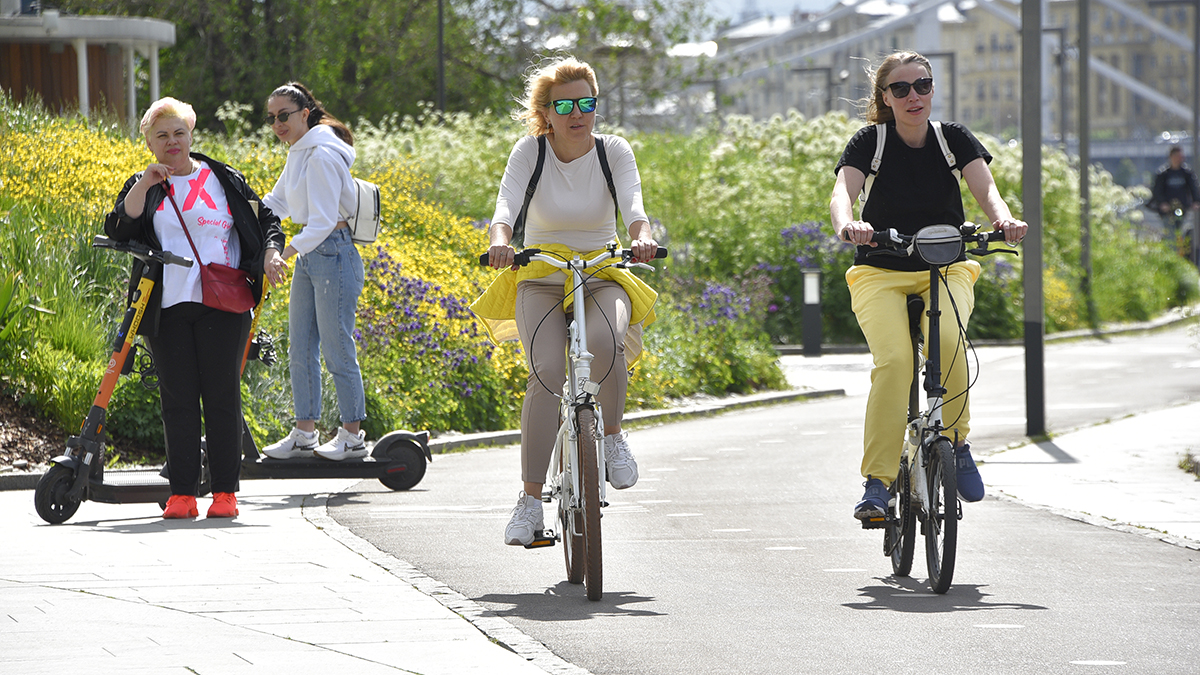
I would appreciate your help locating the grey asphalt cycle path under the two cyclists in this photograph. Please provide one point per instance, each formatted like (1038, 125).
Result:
(737, 553)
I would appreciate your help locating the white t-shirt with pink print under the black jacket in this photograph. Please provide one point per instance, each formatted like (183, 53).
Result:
(203, 205)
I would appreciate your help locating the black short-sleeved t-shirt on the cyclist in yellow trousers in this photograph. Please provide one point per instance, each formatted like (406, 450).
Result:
(914, 188)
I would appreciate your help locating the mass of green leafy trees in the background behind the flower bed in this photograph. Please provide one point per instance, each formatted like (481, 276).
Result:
(373, 58)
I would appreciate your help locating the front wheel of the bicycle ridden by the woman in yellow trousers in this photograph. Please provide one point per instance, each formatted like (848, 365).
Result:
(943, 516)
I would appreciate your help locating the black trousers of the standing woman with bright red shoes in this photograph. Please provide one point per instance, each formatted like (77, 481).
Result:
(199, 355)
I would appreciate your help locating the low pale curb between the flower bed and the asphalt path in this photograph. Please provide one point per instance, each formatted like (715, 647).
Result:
(28, 481)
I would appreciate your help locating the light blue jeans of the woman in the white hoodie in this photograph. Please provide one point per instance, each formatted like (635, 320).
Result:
(326, 289)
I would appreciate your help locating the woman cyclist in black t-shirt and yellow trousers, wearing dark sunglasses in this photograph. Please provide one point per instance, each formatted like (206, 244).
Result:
(913, 182)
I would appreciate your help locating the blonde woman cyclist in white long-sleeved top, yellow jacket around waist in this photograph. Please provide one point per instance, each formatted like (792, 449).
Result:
(572, 212)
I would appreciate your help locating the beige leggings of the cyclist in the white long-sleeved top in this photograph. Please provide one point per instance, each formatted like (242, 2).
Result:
(547, 360)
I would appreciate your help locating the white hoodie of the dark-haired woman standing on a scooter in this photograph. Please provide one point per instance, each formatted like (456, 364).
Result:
(315, 189)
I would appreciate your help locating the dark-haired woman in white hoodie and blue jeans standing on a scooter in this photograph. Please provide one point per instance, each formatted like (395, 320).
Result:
(317, 193)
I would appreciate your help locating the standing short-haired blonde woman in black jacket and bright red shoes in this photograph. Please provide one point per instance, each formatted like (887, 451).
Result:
(197, 349)
